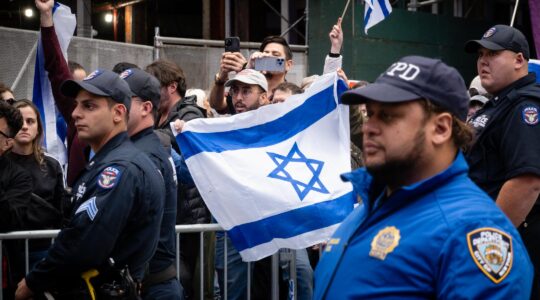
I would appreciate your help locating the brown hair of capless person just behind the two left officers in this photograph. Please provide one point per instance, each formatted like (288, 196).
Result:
(168, 72)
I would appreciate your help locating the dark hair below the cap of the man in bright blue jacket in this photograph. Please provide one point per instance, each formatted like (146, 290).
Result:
(462, 133)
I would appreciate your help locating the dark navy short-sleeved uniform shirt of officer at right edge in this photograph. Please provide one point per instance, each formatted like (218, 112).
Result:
(507, 137)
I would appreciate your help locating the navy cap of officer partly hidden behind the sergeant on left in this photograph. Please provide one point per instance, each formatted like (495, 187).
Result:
(143, 85)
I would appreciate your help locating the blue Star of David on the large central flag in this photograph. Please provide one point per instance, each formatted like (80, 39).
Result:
(295, 156)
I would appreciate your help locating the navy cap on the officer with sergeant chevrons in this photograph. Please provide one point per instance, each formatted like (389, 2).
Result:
(102, 83)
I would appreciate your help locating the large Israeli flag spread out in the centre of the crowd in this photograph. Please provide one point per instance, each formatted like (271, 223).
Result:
(270, 176)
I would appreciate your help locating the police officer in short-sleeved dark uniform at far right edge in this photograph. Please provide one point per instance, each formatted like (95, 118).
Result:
(505, 159)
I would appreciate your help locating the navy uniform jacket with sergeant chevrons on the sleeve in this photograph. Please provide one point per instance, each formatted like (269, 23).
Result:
(117, 214)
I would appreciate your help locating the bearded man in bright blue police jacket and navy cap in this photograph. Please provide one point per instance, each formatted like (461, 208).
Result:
(424, 230)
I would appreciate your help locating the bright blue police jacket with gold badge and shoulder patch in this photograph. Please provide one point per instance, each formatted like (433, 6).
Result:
(439, 238)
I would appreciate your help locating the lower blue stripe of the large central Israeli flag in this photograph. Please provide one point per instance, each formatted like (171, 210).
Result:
(292, 223)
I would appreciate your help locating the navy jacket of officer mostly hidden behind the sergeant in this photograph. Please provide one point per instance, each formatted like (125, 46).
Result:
(148, 142)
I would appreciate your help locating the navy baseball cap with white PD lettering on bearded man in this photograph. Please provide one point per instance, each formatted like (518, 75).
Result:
(412, 78)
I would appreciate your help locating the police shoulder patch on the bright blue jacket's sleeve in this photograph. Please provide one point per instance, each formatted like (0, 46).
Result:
(491, 250)
